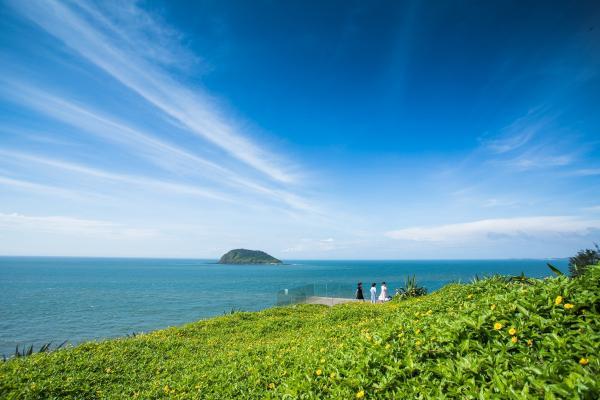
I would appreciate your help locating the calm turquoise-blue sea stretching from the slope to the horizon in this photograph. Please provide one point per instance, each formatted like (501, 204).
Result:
(57, 299)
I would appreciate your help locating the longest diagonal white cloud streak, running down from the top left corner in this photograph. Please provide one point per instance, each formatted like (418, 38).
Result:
(99, 40)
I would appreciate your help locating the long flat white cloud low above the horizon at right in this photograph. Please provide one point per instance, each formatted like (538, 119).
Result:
(498, 228)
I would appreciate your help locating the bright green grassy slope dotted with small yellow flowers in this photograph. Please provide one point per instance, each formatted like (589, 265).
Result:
(441, 345)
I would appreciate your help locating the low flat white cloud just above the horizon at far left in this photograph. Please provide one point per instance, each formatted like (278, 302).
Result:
(71, 226)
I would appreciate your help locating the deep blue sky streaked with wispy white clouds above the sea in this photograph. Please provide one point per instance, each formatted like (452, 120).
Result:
(310, 130)
